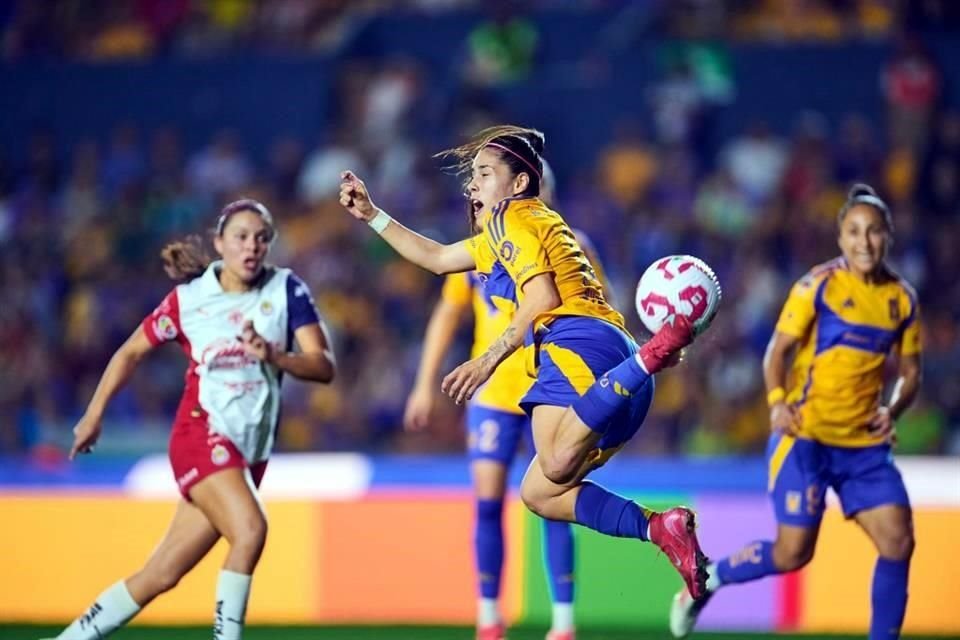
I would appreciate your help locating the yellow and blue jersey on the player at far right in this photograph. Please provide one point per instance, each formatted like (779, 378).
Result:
(847, 328)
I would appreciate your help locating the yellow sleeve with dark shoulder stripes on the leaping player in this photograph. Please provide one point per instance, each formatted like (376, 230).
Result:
(516, 241)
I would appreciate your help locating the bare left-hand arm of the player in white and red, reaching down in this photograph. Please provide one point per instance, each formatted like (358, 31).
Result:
(115, 376)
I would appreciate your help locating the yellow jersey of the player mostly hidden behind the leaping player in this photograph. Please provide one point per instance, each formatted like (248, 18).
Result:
(509, 381)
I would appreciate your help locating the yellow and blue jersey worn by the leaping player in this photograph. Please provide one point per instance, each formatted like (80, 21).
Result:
(523, 238)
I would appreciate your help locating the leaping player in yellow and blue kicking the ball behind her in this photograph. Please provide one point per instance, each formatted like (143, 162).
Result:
(592, 385)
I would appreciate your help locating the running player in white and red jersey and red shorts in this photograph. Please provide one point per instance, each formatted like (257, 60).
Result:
(237, 320)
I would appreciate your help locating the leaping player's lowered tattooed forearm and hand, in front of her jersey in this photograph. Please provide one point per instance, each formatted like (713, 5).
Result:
(540, 295)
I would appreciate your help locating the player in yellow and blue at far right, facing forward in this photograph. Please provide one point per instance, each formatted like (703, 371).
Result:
(840, 325)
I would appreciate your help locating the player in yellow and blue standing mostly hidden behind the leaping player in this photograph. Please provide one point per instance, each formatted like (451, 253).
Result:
(495, 425)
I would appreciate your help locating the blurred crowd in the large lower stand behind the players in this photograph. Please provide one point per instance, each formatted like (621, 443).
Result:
(81, 229)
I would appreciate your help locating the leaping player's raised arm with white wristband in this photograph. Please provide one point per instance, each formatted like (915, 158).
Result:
(421, 251)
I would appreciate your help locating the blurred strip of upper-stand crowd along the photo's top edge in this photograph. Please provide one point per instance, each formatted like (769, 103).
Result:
(129, 29)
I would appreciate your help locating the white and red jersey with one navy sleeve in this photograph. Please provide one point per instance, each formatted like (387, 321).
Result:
(237, 395)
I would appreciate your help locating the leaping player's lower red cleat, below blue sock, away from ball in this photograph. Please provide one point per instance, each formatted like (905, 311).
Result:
(674, 532)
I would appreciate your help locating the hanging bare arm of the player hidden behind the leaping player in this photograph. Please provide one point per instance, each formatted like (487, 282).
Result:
(439, 336)
